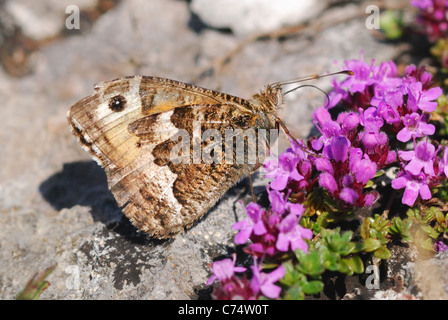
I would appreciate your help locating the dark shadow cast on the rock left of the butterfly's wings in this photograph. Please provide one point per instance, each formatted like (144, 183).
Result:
(84, 183)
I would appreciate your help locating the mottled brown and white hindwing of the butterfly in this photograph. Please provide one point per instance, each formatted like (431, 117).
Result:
(193, 183)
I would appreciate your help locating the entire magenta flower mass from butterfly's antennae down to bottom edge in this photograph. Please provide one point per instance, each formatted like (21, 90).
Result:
(382, 113)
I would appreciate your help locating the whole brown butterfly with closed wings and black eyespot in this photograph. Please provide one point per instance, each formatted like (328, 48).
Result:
(131, 126)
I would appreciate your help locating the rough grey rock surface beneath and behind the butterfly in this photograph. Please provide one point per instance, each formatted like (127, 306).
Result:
(54, 203)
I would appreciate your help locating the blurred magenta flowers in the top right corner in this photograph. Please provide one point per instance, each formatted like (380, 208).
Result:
(432, 18)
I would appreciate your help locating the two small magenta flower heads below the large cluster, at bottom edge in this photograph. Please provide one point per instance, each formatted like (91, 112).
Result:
(272, 232)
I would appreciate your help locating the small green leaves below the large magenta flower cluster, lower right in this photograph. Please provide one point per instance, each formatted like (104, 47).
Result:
(336, 251)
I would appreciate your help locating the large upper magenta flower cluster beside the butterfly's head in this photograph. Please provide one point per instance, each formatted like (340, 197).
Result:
(384, 111)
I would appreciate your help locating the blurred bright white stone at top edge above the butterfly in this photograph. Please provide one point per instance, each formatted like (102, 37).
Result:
(246, 17)
